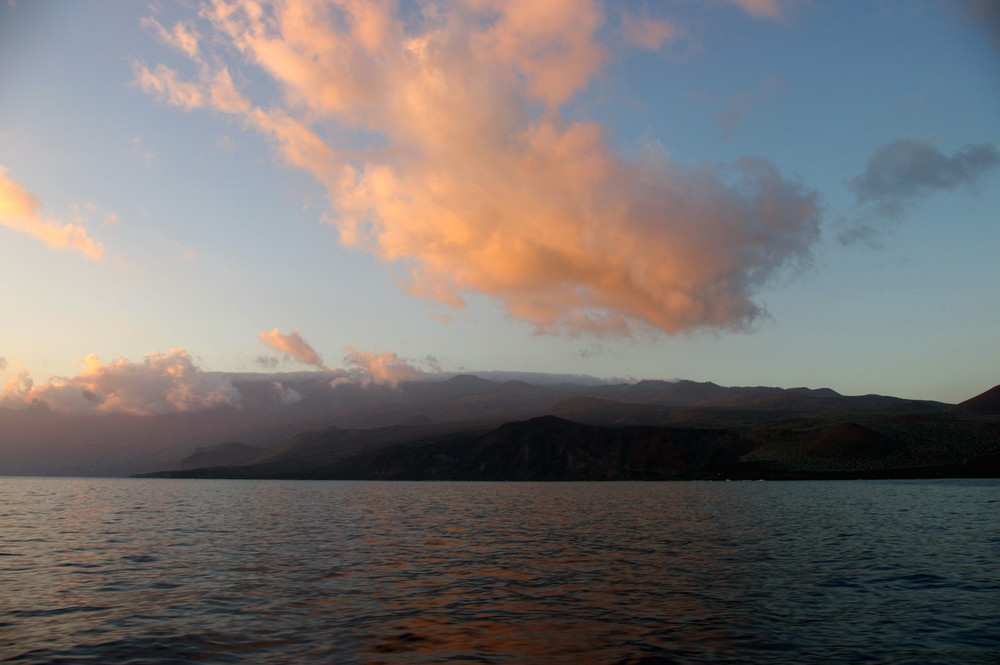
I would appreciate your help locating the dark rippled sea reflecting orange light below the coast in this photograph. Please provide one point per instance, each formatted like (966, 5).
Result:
(145, 571)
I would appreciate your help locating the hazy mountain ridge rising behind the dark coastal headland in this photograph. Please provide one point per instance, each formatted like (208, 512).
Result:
(345, 420)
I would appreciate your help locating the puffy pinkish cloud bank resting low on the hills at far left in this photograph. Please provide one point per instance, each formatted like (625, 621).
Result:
(167, 382)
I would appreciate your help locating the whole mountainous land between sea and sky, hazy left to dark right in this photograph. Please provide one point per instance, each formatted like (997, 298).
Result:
(338, 430)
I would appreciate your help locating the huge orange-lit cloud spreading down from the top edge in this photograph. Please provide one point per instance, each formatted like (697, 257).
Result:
(474, 180)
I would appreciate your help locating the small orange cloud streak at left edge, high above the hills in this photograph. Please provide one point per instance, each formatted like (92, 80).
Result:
(20, 210)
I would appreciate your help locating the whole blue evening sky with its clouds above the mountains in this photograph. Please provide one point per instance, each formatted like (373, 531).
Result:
(751, 192)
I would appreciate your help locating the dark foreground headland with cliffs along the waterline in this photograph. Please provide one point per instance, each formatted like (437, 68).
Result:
(548, 448)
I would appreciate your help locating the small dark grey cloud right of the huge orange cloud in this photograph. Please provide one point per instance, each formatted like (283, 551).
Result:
(903, 171)
